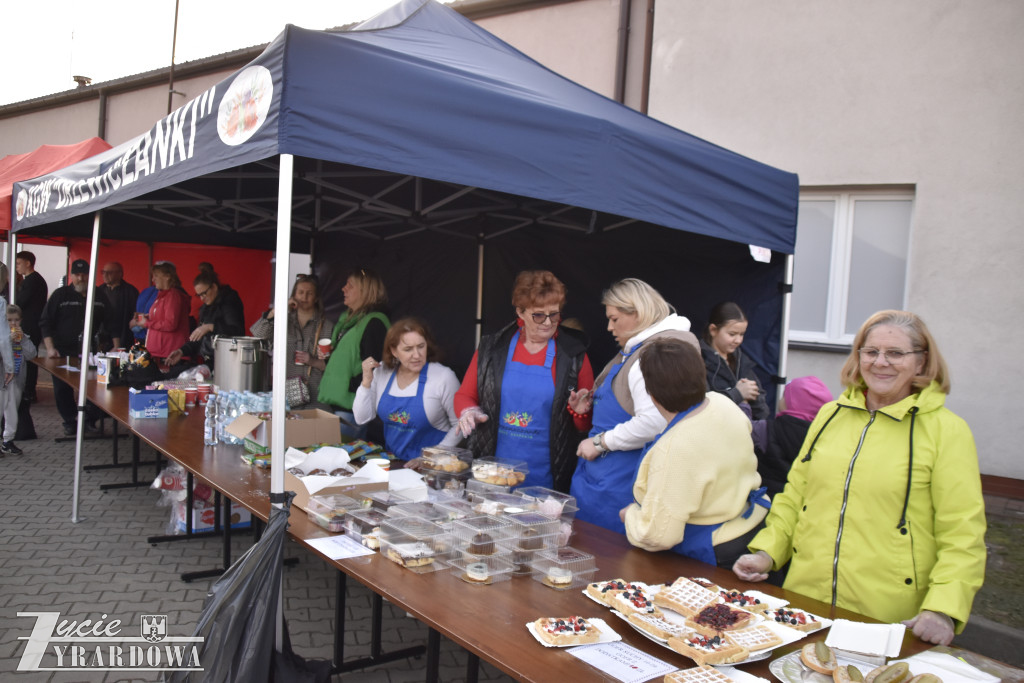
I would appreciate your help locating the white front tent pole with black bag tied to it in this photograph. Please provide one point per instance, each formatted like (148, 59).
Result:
(281, 294)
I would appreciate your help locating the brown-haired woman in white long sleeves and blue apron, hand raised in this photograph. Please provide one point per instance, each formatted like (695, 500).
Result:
(412, 396)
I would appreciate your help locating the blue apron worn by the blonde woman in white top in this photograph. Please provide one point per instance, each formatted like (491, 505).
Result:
(605, 486)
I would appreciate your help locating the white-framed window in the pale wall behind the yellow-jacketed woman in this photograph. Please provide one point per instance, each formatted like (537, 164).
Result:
(850, 262)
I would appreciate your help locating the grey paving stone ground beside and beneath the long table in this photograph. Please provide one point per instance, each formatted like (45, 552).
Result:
(104, 566)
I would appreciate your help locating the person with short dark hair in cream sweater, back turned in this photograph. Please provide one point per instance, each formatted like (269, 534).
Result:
(698, 491)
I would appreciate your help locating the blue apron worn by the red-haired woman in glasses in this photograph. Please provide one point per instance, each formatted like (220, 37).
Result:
(525, 423)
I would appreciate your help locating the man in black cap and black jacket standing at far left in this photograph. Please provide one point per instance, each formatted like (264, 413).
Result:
(63, 324)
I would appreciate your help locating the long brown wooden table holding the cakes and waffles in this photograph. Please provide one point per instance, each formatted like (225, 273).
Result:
(488, 621)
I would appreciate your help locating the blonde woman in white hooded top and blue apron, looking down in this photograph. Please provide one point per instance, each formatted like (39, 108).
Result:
(625, 418)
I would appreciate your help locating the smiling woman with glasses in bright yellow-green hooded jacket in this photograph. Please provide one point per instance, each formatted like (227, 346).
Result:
(883, 513)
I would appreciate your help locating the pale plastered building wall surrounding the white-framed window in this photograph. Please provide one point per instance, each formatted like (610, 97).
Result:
(925, 93)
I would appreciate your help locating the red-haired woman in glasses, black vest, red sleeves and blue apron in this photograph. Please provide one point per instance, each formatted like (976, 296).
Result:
(513, 404)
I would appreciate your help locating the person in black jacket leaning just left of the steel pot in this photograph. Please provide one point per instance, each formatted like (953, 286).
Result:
(222, 315)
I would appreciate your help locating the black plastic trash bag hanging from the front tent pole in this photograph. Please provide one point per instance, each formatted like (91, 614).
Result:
(239, 620)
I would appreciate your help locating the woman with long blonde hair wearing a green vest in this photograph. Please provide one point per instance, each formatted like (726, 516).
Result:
(359, 334)
